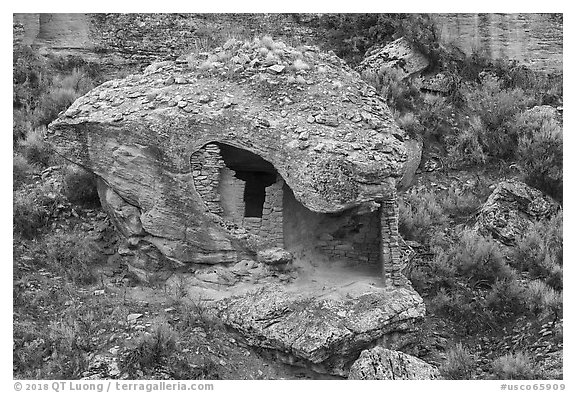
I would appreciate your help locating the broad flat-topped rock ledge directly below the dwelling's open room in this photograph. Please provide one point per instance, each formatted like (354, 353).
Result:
(325, 333)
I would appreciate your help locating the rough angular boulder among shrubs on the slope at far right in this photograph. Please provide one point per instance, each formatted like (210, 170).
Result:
(511, 208)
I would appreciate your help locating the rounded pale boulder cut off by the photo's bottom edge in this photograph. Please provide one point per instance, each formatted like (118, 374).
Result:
(382, 363)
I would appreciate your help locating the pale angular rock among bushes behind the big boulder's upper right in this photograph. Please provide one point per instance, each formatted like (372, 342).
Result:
(398, 54)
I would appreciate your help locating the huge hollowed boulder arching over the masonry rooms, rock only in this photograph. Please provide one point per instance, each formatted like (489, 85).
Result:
(327, 133)
